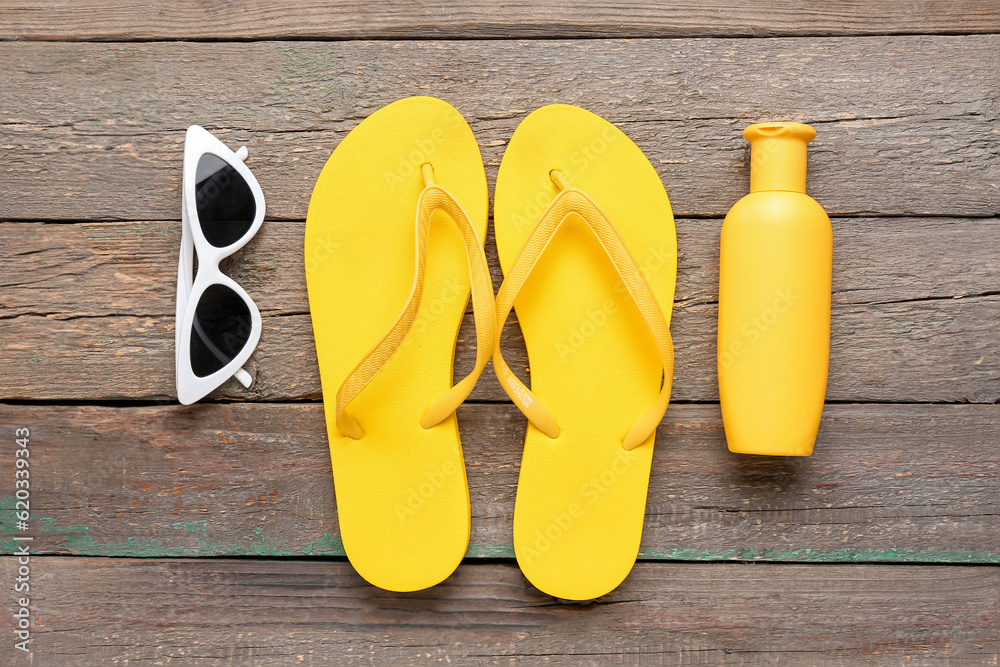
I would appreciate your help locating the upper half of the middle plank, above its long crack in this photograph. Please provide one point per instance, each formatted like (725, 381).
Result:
(57, 269)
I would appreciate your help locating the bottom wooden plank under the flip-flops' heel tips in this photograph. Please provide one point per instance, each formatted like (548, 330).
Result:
(257, 612)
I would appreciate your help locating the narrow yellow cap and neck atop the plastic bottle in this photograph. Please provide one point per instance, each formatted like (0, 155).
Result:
(778, 156)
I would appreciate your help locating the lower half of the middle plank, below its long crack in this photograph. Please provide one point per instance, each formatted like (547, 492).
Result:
(932, 350)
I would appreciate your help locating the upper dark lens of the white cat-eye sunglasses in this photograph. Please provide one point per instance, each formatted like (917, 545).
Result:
(225, 202)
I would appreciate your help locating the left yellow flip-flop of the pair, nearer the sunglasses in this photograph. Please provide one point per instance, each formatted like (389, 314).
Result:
(393, 246)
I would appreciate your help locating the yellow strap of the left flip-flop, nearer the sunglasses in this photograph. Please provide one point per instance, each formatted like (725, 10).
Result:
(432, 198)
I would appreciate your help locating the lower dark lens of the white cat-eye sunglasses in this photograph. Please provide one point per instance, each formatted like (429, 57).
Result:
(221, 329)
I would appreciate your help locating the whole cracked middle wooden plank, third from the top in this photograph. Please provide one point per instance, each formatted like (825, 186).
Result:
(86, 312)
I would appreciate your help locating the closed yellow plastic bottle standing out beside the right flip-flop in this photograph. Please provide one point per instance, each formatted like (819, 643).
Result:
(775, 269)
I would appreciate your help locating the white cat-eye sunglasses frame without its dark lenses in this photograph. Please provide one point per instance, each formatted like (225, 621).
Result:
(191, 388)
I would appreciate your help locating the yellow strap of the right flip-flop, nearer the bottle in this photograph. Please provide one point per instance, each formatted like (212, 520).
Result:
(571, 201)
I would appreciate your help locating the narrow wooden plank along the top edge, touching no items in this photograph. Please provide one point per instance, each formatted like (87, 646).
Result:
(419, 19)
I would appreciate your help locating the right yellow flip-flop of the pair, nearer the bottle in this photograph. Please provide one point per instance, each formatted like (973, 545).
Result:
(588, 248)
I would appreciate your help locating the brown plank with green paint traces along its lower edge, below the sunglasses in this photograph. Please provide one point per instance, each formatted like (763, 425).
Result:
(896, 483)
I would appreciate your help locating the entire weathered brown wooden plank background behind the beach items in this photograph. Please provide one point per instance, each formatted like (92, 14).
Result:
(208, 534)
